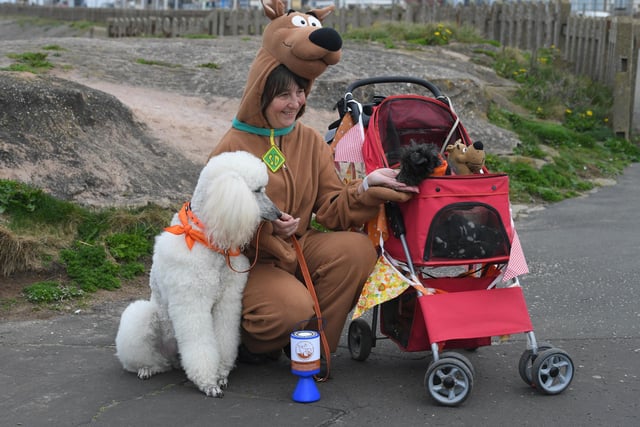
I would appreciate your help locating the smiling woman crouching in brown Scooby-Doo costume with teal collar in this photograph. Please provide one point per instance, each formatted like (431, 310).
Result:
(302, 181)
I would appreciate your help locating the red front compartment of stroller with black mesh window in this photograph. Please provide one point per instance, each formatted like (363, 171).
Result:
(456, 219)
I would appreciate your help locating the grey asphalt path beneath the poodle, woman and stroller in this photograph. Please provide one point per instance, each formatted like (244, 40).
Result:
(582, 293)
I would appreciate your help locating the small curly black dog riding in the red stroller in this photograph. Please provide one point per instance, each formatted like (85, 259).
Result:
(417, 161)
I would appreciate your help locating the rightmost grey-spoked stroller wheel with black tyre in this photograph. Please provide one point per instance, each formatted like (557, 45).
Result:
(552, 371)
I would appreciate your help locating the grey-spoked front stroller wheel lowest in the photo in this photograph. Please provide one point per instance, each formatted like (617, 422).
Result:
(448, 381)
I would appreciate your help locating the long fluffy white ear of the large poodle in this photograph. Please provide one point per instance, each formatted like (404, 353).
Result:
(231, 213)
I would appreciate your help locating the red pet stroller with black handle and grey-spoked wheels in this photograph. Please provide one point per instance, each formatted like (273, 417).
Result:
(489, 305)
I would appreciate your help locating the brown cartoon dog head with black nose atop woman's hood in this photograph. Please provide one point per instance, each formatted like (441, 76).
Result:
(299, 41)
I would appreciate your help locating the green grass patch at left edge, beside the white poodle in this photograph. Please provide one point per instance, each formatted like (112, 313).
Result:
(97, 248)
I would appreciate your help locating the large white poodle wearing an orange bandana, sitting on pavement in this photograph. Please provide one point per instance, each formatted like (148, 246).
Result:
(193, 316)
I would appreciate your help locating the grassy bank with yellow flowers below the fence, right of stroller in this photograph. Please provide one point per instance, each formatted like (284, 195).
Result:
(567, 113)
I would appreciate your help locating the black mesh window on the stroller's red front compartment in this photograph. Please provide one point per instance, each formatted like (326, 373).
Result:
(467, 230)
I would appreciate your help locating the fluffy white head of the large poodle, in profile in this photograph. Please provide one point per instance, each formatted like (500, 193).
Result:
(230, 198)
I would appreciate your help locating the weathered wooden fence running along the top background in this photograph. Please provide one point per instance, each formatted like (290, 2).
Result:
(605, 49)
